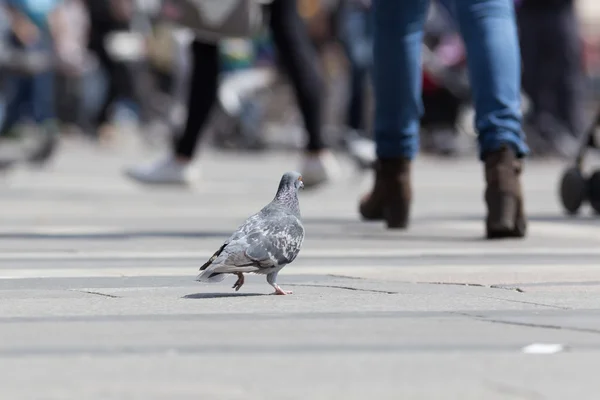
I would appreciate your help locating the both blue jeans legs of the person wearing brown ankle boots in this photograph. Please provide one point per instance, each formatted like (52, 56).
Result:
(489, 30)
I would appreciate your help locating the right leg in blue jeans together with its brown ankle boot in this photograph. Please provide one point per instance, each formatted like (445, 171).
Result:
(490, 33)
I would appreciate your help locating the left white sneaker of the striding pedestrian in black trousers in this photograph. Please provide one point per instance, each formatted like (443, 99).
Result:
(167, 172)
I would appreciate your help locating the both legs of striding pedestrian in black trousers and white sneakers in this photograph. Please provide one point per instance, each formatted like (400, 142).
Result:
(298, 57)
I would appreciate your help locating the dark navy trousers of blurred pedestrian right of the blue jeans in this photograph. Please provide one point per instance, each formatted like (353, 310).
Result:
(552, 66)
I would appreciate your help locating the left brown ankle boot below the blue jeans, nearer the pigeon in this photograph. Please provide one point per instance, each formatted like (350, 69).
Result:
(391, 195)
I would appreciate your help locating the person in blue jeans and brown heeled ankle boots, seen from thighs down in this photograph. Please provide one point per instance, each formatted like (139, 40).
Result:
(489, 30)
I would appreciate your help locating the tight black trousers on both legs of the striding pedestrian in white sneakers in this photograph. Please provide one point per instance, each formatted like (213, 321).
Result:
(295, 53)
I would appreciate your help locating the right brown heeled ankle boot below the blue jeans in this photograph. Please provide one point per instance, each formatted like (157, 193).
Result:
(503, 195)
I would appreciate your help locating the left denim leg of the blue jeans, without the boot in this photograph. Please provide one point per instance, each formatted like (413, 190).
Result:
(397, 78)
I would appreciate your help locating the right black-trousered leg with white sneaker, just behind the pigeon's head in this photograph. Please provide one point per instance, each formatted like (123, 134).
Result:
(299, 59)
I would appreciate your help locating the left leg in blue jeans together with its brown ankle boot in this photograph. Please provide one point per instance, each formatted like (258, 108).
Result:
(398, 37)
